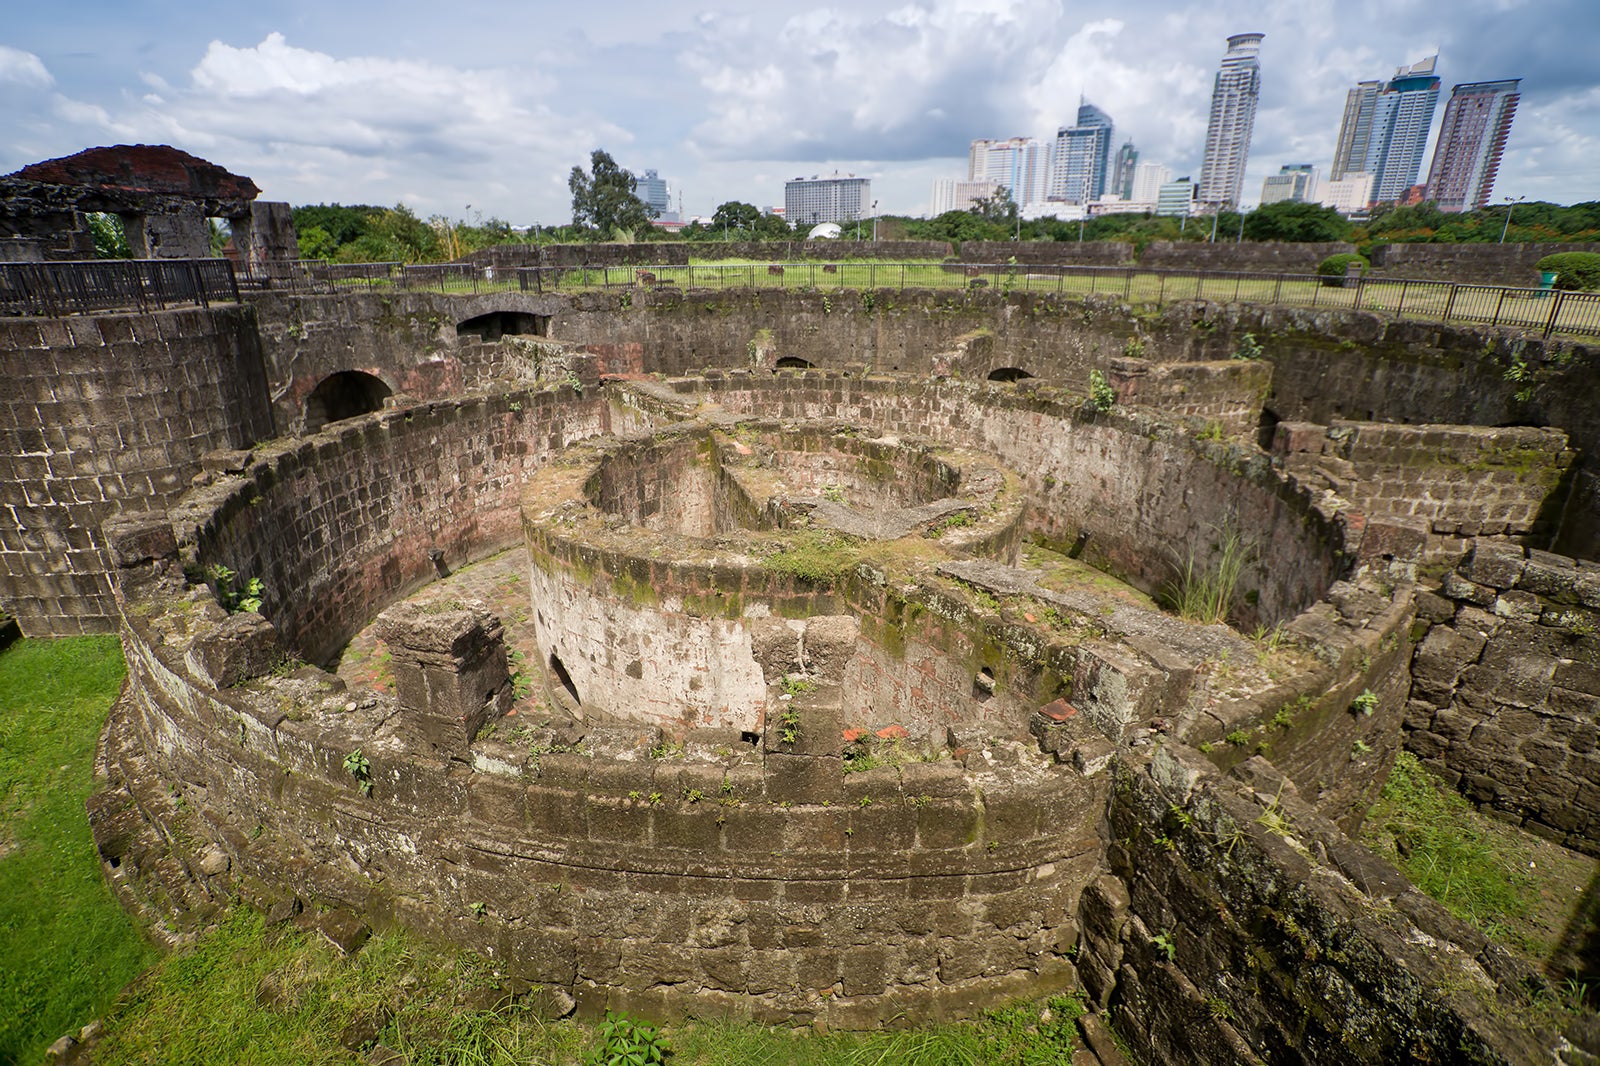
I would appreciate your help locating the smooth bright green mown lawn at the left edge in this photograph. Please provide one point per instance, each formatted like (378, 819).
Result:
(65, 944)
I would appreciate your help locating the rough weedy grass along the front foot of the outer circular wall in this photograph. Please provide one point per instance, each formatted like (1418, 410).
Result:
(268, 996)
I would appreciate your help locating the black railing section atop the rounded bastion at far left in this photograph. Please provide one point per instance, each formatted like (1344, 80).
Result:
(66, 289)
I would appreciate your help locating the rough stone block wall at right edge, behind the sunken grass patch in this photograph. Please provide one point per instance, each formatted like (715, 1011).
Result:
(1506, 689)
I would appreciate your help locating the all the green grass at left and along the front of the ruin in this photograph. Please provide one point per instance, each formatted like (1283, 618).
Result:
(250, 993)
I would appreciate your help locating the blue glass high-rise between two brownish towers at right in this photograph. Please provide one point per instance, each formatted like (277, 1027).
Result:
(1471, 142)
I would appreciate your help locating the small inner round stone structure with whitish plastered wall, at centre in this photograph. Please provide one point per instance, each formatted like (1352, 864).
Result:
(686, 579)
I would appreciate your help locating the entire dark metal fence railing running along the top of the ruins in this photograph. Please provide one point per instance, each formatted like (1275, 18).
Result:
(52, 289)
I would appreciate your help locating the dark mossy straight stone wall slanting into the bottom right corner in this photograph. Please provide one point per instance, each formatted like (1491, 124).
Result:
(1238, 926)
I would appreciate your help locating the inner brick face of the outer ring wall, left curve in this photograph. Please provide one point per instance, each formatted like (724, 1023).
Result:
(340, 524)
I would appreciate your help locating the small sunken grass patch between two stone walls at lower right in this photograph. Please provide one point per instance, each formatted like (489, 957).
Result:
(1470, 864)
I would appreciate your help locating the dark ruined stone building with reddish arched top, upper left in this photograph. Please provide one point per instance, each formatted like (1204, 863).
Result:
(162, 196)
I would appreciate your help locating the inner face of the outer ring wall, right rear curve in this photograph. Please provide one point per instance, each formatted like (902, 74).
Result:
(1142, 492)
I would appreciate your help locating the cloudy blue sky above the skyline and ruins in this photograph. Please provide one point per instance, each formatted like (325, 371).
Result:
(471, 108)
